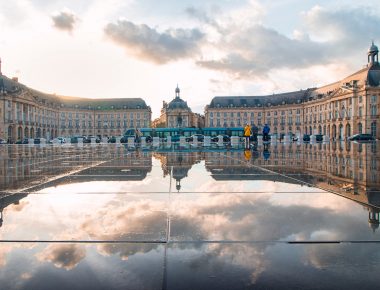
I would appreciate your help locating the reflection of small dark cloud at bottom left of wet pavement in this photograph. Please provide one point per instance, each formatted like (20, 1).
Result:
(65, 256)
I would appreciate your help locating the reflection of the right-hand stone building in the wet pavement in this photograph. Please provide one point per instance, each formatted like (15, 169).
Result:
(349, 169)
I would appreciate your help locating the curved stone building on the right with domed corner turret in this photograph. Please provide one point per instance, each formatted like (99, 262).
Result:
(340, 109)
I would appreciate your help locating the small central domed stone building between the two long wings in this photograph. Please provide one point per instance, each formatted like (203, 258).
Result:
(177, 114)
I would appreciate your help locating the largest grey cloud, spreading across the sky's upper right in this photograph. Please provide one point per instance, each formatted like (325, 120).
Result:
(254, 50)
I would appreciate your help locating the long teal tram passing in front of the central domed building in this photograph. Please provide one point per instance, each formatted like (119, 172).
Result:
(186, 132)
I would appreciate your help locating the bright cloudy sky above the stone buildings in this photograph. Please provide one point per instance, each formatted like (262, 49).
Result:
(144, 48)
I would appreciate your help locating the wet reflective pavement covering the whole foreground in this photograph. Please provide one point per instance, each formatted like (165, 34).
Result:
(285, 216)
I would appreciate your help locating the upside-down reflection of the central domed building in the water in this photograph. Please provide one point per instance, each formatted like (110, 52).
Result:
(177, 164)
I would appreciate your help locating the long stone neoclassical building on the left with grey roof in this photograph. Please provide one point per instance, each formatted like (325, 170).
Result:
(25, 112)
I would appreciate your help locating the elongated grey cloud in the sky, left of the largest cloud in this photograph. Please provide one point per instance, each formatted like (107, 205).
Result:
(149, 44)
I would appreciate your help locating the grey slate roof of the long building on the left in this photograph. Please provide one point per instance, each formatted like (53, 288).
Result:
(14, 87)
